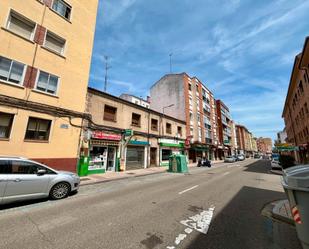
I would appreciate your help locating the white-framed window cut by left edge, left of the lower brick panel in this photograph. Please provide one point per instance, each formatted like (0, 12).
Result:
(11, 71)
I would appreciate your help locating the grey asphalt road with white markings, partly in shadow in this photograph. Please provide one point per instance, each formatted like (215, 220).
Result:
(207, 208)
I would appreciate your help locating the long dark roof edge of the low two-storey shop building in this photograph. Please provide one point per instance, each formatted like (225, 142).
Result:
(126, 102)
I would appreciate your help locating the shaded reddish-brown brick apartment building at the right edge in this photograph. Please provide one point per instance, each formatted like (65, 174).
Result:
(296, 109)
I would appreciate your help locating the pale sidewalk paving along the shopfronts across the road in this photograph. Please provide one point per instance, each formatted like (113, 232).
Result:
(112, 176)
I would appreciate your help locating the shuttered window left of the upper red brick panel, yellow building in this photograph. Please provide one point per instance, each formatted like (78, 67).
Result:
(21, 25)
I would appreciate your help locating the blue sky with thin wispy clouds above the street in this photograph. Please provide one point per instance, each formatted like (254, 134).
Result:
(243, 51)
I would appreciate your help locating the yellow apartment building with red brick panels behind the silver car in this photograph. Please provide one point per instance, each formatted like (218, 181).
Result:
(45, 56)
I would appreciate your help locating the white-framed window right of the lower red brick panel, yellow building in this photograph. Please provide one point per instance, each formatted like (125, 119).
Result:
(47, 83)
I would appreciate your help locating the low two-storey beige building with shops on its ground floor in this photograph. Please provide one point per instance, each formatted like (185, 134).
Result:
(156, 136)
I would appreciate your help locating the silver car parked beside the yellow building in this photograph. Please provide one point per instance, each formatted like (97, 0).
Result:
(23, 179)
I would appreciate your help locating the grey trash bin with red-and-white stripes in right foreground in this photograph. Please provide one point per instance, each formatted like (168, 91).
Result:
(295, 182)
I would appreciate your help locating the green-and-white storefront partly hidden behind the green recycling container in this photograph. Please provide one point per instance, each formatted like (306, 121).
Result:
(169, 147)
